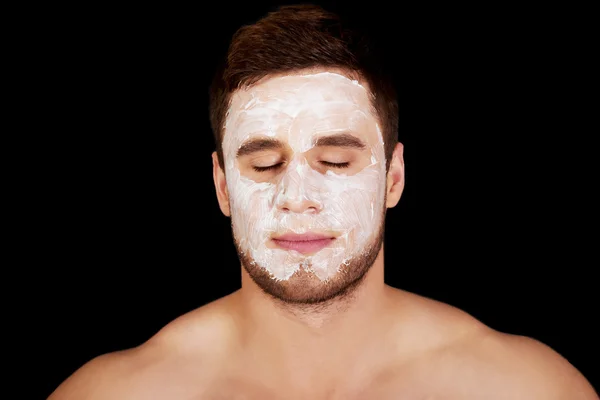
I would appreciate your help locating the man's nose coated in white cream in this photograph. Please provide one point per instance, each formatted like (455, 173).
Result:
(296, 195)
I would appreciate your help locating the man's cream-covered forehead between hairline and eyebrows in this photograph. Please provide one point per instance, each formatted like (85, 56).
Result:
(295, 108)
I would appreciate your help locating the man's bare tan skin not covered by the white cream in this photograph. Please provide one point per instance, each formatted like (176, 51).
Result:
(372, 341)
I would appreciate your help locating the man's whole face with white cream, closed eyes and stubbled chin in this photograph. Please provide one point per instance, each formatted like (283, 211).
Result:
(306, 175)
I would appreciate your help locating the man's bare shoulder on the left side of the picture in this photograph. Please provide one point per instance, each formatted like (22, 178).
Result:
(189, 349)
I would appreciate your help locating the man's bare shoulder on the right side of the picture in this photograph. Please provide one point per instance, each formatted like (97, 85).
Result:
(490, 363)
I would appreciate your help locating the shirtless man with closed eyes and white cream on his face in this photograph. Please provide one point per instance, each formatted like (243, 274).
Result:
(306, 165)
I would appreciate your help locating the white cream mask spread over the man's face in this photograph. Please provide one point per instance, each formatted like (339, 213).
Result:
(304, 196)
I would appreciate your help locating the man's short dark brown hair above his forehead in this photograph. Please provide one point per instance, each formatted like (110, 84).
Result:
(295, 38)
